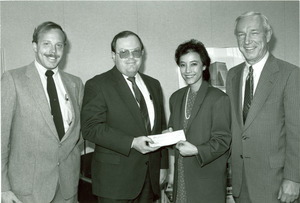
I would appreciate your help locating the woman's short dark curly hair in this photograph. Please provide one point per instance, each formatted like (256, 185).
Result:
(197, 47)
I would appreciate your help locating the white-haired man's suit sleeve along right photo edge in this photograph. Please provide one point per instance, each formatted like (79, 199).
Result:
(292, 126)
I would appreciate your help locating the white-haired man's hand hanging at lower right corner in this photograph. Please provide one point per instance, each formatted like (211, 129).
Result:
(288, 191)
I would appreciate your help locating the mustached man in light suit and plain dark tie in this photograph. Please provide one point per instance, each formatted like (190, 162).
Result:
(40, 130)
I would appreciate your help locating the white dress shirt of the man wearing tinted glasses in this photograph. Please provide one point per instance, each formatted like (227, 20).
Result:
(148, 99)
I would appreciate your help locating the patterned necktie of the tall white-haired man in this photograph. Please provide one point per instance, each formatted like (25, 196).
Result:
(248, 93)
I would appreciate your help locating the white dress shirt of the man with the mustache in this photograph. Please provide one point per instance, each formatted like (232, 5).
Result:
(63, 97)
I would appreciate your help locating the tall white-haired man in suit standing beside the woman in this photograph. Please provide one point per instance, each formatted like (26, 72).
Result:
(265, 98)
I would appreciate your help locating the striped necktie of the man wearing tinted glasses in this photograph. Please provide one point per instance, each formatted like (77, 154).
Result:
(143, 107)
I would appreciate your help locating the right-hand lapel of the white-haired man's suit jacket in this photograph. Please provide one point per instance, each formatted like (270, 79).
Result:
(267, 79)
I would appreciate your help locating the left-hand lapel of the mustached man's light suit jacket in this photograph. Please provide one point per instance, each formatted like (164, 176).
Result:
(36, 88)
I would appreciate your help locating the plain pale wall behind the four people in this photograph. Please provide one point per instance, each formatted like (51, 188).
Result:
(162, 25)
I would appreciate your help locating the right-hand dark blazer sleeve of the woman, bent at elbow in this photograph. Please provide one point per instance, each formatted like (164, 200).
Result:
(220, 139)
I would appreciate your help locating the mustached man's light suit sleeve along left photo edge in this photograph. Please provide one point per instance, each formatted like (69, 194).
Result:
(8, 103)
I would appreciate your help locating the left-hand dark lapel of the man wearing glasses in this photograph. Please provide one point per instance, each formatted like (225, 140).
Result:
(127, 97)
